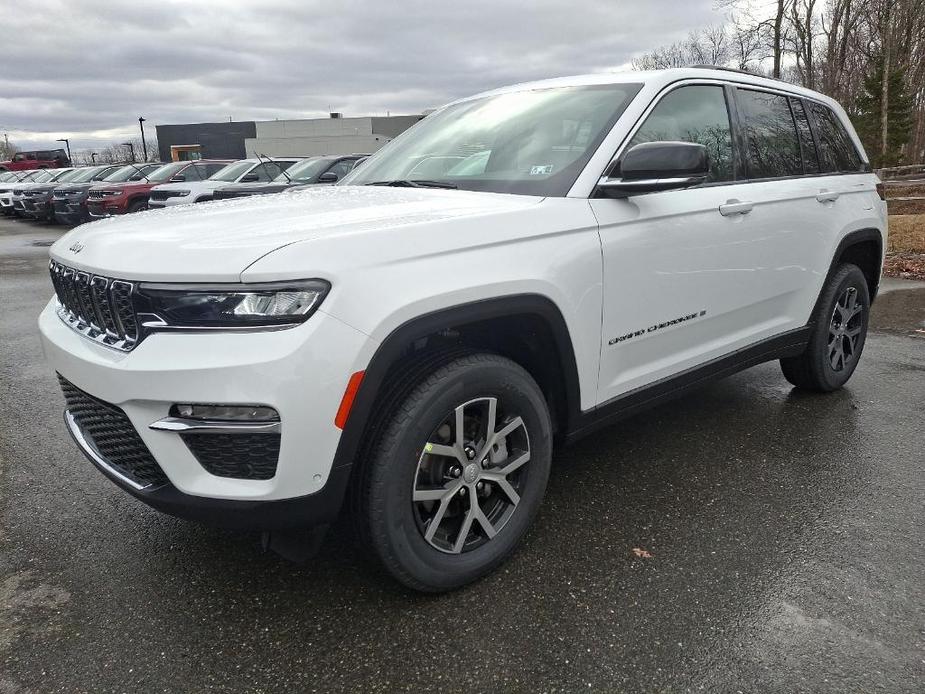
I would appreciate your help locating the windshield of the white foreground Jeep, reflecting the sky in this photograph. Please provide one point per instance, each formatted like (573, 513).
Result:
(532, 142)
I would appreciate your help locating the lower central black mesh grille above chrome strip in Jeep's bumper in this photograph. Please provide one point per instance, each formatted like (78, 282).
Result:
(108, 430)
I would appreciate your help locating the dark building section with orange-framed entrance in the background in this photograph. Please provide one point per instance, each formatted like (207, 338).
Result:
(204, 140)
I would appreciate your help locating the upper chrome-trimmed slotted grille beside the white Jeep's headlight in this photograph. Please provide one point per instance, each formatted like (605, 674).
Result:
(97, 307)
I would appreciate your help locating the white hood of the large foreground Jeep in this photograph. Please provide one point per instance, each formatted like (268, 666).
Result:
(218, 241)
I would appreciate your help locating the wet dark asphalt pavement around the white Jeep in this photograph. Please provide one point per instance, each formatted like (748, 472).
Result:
(781, 533)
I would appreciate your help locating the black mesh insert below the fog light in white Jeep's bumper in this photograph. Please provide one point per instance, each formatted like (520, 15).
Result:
(241, 456)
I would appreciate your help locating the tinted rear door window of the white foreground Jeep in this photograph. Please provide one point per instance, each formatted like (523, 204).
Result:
(772, 148)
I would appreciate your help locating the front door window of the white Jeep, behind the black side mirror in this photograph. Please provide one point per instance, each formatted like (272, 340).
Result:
(693, 114)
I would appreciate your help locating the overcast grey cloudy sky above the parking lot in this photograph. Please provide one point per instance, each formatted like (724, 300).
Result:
(87, 69)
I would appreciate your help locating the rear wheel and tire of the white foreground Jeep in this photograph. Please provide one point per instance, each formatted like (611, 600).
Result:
(838, 334)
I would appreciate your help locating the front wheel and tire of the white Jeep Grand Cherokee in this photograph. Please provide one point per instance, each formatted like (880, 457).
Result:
(411, 512)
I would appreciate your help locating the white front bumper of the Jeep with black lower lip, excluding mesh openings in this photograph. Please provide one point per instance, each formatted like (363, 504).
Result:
(300, 372)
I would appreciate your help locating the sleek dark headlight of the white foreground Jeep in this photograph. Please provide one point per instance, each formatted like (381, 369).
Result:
(228, 306)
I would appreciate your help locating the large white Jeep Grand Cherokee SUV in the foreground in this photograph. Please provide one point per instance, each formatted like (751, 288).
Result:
(587, 247)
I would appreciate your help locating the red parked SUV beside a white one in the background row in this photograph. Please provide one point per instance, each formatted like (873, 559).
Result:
(109, 199)
